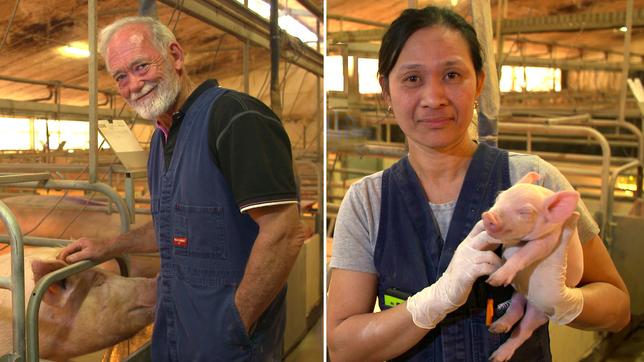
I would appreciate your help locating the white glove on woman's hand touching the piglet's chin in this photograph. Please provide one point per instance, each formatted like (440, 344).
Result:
(472, 259)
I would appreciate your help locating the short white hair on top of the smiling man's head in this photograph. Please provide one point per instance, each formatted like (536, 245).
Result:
(161, 35)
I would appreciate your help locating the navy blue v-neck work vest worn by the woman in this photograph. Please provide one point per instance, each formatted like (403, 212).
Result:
(410, 255)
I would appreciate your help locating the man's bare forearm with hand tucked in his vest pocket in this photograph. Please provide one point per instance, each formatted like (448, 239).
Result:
(274, 252)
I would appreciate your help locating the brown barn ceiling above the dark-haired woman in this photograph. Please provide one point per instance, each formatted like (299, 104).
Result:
(605, 39)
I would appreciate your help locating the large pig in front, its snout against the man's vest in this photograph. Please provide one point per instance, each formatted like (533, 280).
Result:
(84, 312)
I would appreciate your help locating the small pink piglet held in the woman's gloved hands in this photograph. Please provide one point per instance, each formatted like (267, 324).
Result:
(542, 254)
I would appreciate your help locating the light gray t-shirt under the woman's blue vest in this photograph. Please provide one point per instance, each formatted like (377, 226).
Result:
(356, 227)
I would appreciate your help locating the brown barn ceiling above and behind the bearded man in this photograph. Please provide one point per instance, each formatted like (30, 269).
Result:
(40, 27)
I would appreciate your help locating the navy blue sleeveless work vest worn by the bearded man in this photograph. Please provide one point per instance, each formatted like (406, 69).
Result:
(204, 242)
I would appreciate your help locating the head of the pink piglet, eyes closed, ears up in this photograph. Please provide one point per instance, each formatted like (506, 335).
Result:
(527, 212)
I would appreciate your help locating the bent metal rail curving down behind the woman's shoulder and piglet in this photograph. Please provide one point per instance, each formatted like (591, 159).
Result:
(580, 131)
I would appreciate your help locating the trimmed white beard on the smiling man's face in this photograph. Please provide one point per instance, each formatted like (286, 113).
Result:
(166, 92)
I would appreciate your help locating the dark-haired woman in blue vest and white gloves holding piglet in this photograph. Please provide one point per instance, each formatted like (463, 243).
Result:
(406, 235)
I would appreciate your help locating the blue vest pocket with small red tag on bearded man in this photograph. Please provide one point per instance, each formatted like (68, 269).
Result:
(198, 232)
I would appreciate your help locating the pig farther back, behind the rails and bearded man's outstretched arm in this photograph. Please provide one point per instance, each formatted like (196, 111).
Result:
(49, 216)
